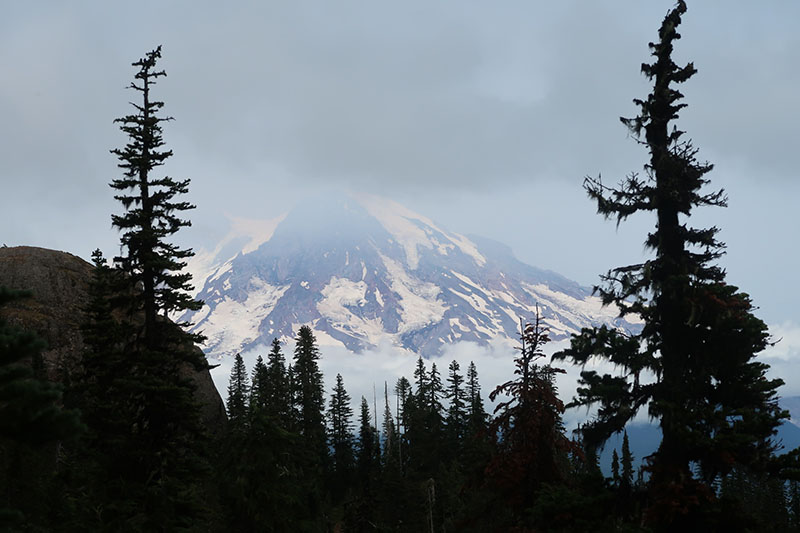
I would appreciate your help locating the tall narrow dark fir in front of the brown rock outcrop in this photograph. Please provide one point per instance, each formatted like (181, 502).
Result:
(160, 466)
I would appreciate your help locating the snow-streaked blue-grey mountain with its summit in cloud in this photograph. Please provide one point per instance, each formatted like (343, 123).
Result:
(363, 271)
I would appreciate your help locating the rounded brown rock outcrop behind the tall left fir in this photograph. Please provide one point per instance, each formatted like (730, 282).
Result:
(58, 282)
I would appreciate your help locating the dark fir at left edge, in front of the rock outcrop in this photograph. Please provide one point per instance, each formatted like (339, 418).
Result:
(32, 423)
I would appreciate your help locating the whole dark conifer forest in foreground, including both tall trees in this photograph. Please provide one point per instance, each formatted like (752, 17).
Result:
(120, 444)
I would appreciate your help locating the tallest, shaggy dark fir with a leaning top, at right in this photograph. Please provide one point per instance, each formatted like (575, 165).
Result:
(714, 404)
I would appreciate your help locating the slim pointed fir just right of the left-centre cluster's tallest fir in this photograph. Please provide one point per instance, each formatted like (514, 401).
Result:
(340, 440)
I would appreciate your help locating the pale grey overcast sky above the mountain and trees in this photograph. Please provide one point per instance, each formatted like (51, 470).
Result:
(485, 116)
